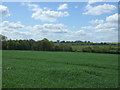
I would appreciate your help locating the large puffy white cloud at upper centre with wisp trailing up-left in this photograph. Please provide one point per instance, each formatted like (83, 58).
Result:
(45, 14)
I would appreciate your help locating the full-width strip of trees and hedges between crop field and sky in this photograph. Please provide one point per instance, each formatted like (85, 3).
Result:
(46, 45)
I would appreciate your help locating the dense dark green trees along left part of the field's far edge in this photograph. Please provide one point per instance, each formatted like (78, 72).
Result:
(41, 45)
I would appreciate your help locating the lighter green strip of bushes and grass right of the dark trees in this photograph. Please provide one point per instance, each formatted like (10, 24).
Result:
(114, 49)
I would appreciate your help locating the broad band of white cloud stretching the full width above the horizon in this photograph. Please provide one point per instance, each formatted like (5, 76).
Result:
(106, 31)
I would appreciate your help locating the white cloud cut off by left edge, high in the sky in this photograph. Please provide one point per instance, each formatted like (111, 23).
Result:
(4, 11)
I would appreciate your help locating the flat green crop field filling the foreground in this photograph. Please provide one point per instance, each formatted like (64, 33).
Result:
(38, 69)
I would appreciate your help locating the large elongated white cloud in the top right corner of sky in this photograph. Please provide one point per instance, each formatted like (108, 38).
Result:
(100, 9)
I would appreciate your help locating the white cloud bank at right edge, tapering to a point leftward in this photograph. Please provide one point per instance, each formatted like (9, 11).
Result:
(108, 25)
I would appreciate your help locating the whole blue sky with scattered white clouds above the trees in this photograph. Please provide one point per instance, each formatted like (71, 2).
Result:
(69, 21)
